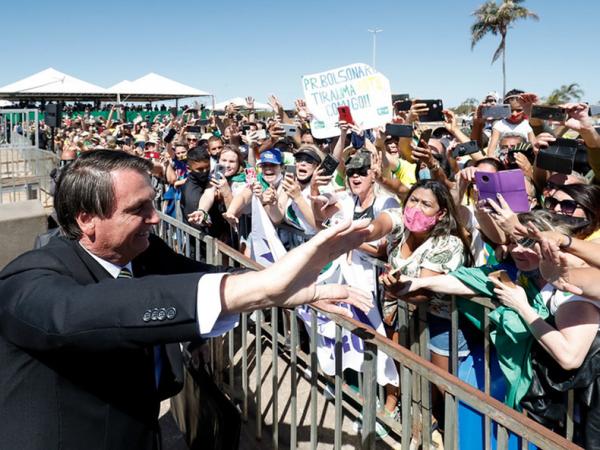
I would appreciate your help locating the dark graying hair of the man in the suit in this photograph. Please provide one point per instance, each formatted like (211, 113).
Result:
(86, 185)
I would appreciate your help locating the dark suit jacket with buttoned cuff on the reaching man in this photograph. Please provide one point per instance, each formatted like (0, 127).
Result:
(76, 346)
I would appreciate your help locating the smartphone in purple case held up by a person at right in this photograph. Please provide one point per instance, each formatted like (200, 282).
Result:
(509, 183)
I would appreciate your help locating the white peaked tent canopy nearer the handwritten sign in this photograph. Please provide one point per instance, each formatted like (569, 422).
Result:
(152, 87)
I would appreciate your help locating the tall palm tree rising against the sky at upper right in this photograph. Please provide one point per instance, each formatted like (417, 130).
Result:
(497, 19)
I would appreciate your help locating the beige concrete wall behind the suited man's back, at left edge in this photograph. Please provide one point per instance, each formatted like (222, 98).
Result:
(20, 223)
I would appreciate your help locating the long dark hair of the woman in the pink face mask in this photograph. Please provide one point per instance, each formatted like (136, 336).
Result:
(449, 223)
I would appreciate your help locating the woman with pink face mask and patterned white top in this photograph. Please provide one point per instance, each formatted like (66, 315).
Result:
(425, 239)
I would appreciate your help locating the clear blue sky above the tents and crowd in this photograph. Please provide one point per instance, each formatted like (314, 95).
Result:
(239, 48)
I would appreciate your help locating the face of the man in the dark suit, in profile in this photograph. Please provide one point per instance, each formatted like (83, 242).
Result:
(124, 235)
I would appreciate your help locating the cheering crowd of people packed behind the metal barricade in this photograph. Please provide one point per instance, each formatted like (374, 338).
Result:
(498, 209)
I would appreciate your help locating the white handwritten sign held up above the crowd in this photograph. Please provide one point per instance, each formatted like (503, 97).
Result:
(358, 86)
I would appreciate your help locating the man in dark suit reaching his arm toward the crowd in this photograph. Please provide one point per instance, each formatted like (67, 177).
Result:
(84, 320)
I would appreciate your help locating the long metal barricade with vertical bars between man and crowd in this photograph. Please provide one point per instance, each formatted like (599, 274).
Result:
(261, 353)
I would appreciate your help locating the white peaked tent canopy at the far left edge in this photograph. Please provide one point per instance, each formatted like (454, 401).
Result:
(50, 84)
